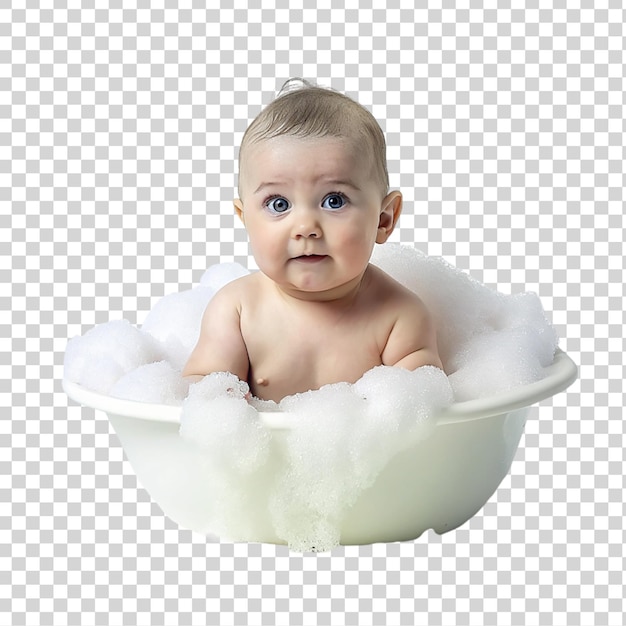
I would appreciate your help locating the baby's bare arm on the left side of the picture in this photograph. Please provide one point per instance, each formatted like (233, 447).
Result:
(220, 347)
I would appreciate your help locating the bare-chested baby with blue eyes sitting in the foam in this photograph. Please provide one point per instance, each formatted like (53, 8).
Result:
(314, 198)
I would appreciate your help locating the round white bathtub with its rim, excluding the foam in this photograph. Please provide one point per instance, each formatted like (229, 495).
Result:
(439, 483)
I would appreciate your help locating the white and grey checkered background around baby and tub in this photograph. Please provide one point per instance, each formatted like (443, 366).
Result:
(119, 128)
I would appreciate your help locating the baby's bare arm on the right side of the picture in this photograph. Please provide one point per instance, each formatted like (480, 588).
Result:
(413, 339)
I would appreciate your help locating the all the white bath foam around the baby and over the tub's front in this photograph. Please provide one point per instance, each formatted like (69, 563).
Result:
(342, 435)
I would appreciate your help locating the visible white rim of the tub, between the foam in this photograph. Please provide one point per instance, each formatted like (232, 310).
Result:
(559, 375)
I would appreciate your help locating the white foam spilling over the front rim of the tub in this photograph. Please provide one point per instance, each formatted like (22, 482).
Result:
(340, 438)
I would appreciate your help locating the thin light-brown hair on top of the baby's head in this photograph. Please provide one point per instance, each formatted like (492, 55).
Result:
(302, 109)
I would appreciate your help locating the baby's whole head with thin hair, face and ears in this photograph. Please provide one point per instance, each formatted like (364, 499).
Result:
(313, 187)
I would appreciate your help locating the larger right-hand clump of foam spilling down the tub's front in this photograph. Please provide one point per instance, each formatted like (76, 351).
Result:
(342, 437)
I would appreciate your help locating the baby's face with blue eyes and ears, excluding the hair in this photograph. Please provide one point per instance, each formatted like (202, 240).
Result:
(313, 210)
